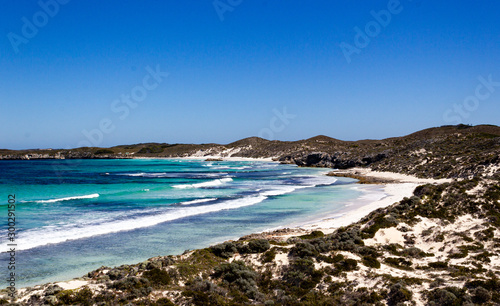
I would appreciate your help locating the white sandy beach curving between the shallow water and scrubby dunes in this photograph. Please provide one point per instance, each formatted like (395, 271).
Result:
(401, 186)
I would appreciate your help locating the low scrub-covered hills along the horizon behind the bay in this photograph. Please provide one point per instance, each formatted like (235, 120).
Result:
(433, 152)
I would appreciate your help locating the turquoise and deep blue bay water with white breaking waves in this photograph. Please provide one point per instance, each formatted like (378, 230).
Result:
(73, 216)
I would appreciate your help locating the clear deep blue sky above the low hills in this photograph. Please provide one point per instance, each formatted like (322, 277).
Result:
(231, 66)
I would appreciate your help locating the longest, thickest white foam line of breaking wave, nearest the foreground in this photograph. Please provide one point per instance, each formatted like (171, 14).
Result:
(49, 235)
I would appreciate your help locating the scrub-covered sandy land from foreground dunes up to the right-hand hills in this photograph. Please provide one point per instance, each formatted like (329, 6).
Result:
(441, 246)
